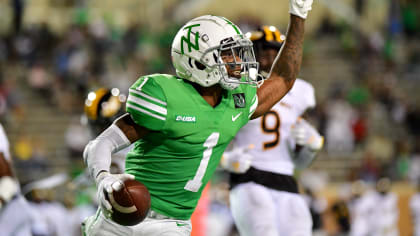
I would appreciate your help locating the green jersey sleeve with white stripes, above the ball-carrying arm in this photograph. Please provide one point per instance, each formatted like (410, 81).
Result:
(146, 104)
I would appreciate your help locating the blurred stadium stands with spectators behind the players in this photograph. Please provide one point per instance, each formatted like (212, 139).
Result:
(362, 56)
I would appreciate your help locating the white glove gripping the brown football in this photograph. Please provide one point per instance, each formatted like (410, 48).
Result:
(107, 183)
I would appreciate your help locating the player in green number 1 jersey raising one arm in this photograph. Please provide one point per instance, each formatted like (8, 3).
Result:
(182, 124)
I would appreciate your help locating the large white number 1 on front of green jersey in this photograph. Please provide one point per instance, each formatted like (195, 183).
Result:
(195, 184)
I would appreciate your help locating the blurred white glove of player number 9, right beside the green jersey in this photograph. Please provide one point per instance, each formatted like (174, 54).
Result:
(237, 160)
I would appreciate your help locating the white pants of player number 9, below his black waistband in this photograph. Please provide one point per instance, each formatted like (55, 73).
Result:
(258, 210)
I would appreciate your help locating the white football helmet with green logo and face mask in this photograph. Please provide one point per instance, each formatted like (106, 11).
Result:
(197, 53)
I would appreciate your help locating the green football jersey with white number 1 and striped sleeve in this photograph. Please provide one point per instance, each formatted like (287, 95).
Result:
(187, 139)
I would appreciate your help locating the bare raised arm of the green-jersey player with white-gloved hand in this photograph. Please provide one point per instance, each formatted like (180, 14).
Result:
(287, 64)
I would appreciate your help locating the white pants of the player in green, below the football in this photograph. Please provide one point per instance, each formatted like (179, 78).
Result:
(99, 225)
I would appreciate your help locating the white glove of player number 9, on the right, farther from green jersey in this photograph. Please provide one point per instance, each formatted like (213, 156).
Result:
(306, 135)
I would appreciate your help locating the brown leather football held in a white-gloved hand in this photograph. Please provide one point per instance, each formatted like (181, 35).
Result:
(131, 204)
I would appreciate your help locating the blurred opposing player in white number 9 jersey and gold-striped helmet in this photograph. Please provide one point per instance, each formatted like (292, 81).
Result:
(264, 197)
